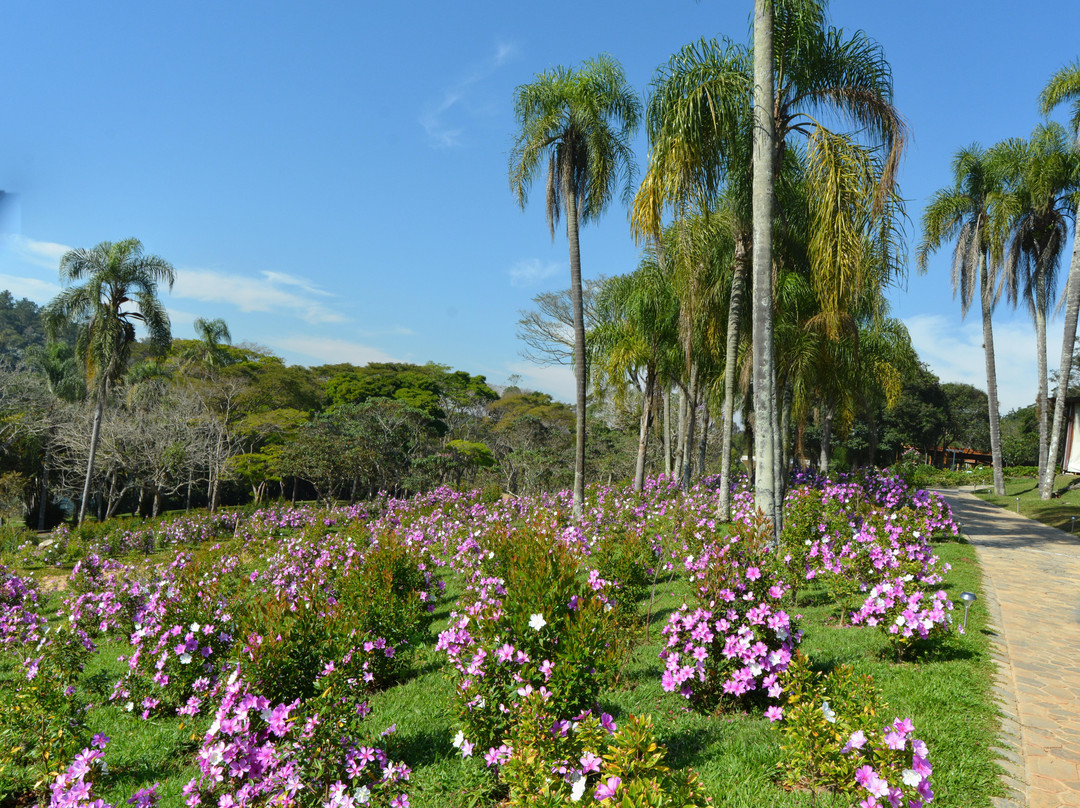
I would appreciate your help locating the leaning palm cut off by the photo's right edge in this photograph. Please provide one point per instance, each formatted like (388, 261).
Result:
(1063, 87)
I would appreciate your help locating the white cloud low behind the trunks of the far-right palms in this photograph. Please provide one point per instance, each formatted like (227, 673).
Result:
(954, 351)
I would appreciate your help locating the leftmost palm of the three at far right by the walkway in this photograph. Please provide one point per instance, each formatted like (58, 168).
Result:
(973, 213)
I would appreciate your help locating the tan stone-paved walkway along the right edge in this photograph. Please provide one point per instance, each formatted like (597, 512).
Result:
(1032, 589)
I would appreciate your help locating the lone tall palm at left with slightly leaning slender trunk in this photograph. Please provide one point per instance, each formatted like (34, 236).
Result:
(119, 289)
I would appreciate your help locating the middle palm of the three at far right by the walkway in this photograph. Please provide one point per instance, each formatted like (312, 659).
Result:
(1044, 177)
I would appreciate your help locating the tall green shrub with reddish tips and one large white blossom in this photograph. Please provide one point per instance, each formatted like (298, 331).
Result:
(529, 622)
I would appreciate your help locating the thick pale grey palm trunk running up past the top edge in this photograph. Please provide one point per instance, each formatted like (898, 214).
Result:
(764, 155)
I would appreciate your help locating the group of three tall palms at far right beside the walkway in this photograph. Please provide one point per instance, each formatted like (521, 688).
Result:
(1008, 211)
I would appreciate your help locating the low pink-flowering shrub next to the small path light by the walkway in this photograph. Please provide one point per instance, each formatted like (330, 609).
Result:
(906, 614)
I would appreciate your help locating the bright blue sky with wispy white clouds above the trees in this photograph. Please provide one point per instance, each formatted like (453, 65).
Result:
(331, 178)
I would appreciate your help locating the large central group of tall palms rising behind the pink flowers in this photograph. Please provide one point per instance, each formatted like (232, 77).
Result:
(772, 171)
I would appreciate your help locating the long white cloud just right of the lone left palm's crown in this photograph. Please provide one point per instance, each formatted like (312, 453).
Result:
(253, 294)
